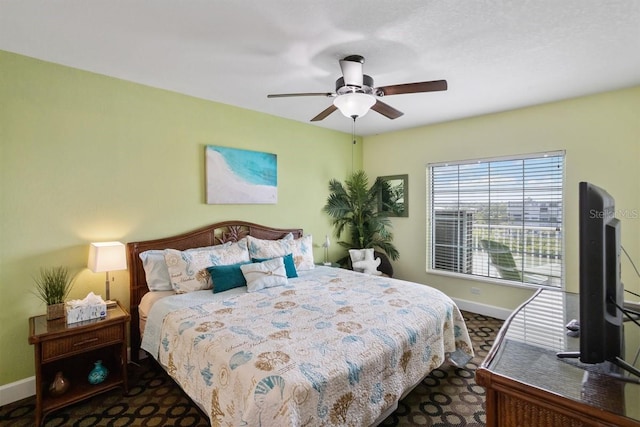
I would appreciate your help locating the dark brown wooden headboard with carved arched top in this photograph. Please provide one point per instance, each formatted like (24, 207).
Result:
(213, 234)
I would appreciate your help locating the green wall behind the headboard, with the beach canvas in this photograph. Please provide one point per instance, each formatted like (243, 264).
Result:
(86, 158)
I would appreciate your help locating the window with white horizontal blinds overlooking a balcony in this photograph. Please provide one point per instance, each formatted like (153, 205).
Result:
(498, 218)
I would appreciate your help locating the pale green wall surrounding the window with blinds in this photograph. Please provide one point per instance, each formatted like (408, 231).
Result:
(601, 136)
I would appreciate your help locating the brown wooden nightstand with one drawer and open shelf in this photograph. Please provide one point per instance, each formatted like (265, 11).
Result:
(73, 350)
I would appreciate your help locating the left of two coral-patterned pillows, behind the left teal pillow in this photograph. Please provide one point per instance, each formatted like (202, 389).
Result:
(188, 269)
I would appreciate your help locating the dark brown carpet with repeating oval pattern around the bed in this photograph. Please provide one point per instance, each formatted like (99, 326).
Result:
(449, 396)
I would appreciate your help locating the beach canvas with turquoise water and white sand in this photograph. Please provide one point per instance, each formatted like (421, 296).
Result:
(236, 176)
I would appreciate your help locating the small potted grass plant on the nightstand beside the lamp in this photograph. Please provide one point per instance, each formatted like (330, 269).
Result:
(52, 286)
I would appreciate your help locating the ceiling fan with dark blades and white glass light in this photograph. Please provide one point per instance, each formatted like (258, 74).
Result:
(355, 92)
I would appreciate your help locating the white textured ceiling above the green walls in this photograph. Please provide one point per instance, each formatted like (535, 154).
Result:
(496, 55)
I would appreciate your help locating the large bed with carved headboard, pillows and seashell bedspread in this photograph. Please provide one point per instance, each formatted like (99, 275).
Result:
(315, 345)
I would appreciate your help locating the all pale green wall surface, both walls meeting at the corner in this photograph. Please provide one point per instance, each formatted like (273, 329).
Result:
(84, 157)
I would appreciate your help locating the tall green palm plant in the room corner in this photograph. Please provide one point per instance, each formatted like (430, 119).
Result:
(355, 208)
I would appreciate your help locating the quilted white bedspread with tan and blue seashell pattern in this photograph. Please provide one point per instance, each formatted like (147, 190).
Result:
(330, 348)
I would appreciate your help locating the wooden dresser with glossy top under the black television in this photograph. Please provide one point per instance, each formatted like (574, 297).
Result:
(528, 385)
